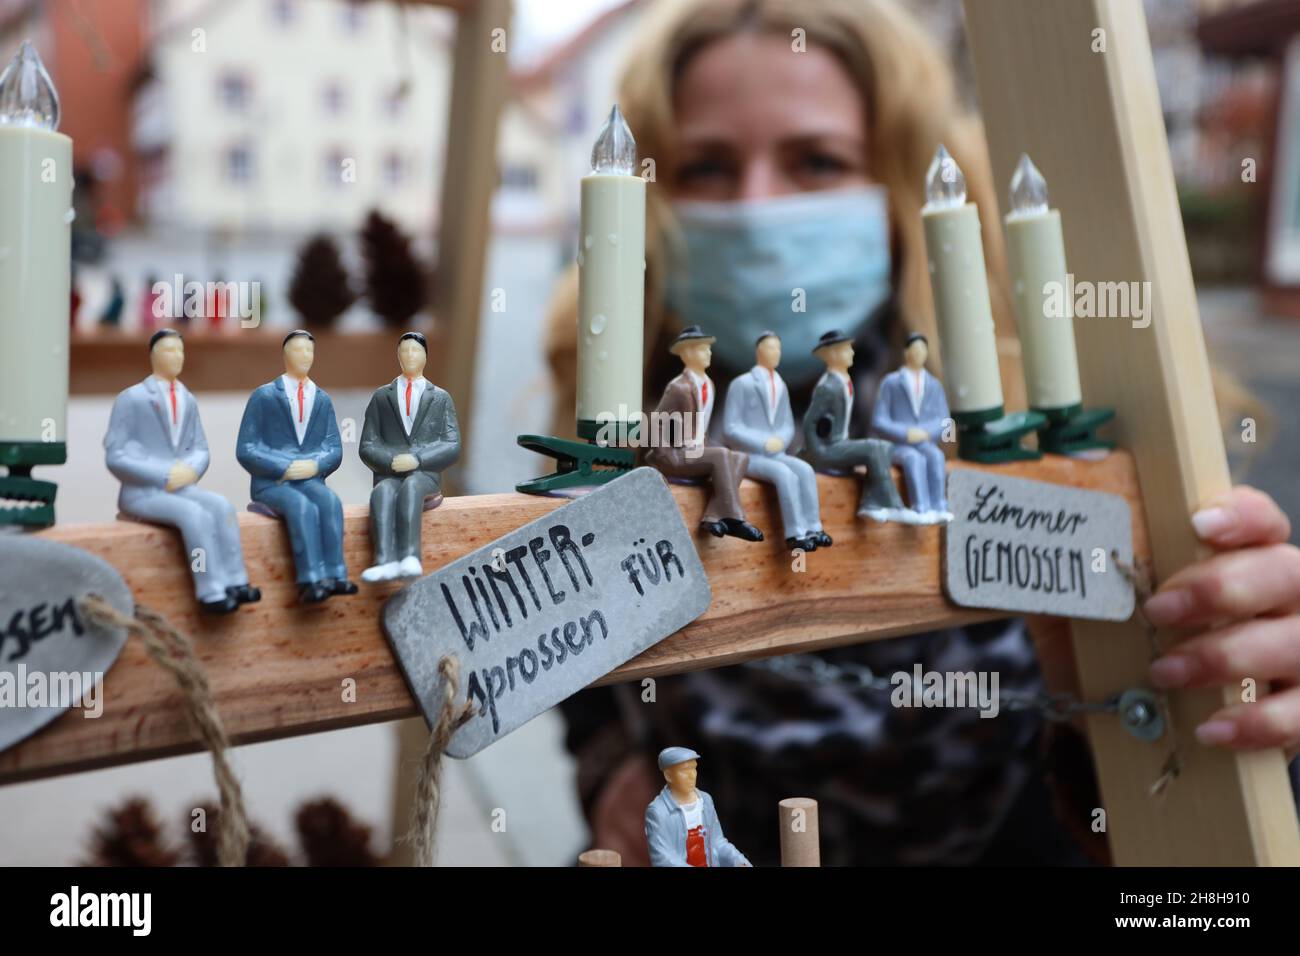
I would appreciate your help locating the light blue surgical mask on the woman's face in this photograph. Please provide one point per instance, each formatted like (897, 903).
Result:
(800, 266)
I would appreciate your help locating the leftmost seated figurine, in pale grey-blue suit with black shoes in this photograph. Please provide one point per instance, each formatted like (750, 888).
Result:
(155, 447)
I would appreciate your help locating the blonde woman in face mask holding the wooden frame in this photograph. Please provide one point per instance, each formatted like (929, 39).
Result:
(783, 135)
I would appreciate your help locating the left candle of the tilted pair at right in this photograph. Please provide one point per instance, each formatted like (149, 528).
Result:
(960, 283)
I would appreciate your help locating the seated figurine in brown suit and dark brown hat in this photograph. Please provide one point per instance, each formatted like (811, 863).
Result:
(681, 451)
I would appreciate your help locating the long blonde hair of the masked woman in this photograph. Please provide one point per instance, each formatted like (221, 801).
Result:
(911, 109)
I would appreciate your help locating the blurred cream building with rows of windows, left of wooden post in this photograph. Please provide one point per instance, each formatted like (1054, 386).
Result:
(287, 116)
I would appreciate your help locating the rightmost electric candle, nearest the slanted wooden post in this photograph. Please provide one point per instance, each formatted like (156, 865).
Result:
(1035, 248)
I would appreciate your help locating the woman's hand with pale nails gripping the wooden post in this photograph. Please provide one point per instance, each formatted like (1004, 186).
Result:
(1249, 596)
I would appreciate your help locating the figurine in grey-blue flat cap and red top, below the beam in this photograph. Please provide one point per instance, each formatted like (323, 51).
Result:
(682, 825)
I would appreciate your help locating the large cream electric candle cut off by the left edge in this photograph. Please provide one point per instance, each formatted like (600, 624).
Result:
(36, 250)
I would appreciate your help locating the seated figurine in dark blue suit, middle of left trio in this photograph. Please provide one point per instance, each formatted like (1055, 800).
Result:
(289, 443)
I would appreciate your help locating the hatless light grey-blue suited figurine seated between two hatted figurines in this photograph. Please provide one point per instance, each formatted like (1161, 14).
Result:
(757, 419)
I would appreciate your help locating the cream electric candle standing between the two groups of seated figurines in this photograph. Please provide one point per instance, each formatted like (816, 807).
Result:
(612, 283)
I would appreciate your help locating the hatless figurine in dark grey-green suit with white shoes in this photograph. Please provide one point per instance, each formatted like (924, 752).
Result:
(410, 436)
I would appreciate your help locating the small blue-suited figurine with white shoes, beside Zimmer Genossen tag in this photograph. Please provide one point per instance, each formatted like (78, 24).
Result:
(912, 412)
